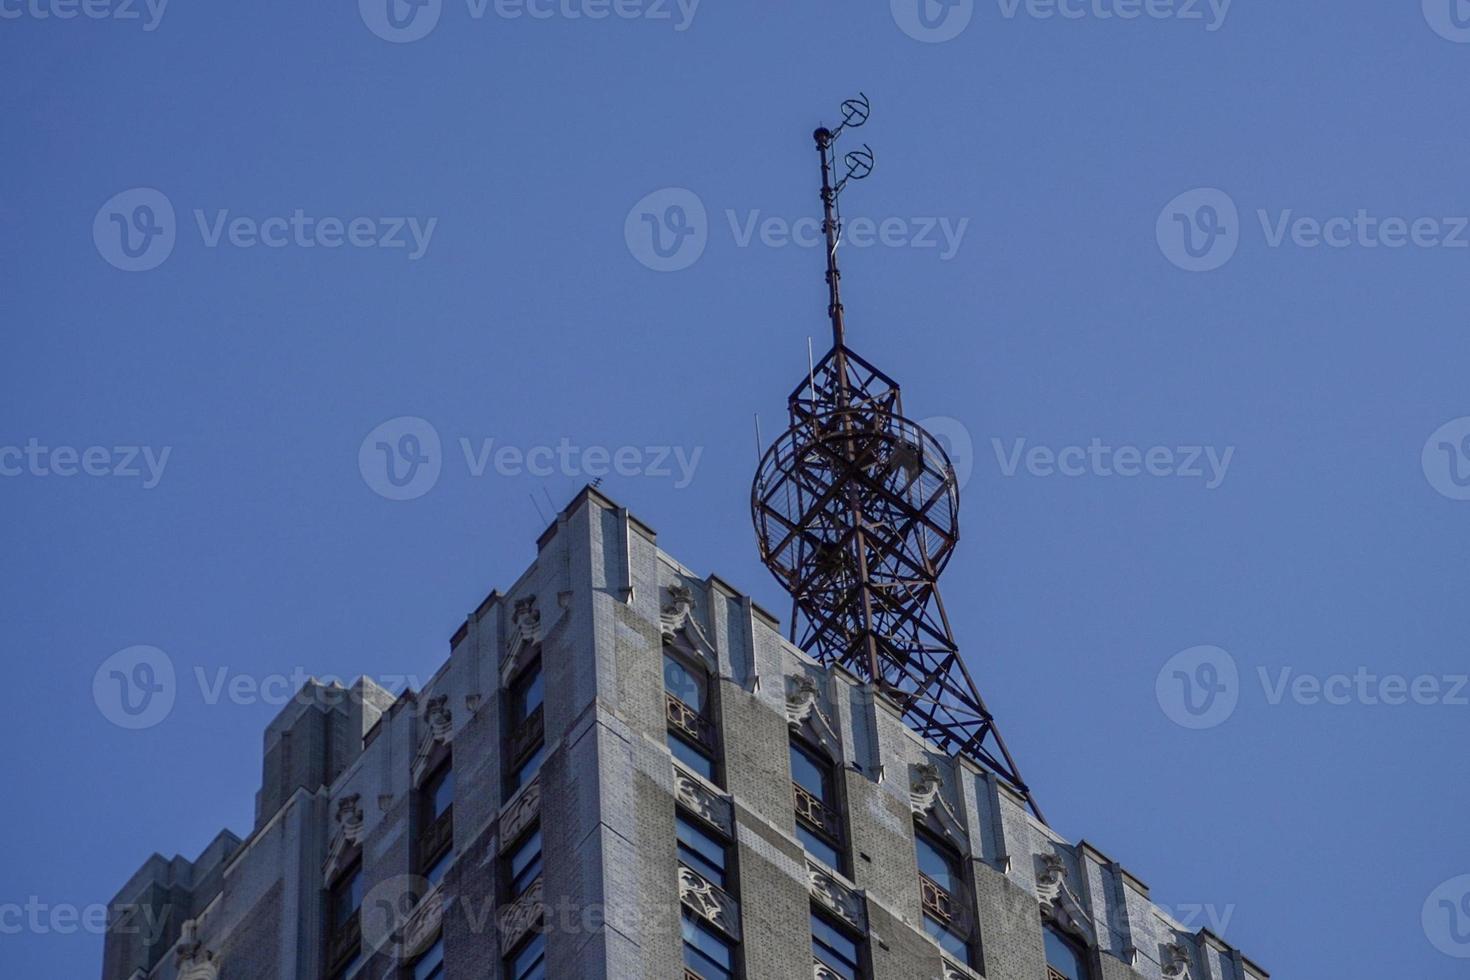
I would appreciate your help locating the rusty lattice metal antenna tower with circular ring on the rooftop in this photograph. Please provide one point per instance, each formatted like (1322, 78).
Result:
(856, 511)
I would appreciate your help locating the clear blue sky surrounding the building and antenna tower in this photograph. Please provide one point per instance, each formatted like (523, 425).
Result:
(1322, 549)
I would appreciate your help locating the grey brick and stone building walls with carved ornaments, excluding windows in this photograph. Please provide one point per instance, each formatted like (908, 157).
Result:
(343, 769)
